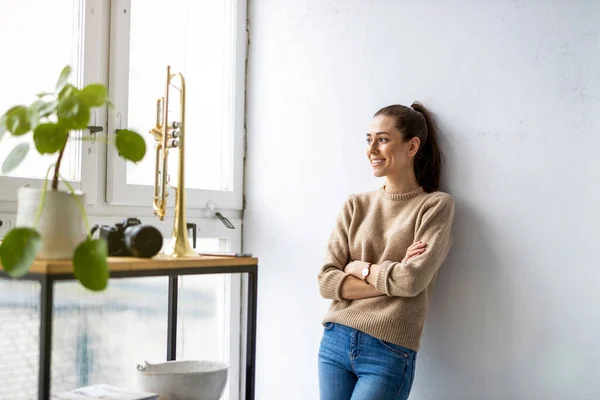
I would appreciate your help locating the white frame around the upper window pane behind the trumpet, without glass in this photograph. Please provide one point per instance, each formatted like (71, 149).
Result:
(118, 192)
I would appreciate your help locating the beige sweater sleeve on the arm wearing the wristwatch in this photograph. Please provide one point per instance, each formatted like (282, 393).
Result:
(408, 279)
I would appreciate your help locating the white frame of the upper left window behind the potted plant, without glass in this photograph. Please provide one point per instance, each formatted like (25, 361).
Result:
(91, 68)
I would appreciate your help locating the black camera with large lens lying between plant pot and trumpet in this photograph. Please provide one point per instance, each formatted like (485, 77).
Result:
(129, 238)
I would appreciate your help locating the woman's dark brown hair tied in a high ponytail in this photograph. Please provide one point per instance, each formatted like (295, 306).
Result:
(416, 121)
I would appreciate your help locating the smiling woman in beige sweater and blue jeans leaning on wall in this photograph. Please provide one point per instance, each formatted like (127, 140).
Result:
(382, 261)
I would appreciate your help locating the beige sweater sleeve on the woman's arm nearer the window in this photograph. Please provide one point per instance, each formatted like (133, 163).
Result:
(337, 256)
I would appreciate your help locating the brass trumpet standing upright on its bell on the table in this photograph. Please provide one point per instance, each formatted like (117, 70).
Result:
(171, 135)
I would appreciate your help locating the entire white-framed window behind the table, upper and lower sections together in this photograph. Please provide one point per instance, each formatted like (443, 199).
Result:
(127, 45)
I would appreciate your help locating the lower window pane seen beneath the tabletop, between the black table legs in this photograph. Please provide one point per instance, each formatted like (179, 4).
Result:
(101, 337)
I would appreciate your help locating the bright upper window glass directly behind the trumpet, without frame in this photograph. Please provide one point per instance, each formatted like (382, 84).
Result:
(195, 38)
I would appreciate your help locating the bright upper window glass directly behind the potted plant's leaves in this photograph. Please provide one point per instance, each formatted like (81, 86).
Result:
(54, 31)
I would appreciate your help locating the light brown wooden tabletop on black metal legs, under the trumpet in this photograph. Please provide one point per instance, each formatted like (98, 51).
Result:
(145, 264)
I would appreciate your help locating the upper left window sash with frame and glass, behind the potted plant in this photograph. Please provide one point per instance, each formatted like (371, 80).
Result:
(29, 72)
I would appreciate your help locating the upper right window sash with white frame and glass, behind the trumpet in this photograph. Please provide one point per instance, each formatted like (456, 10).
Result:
(205, 41)
